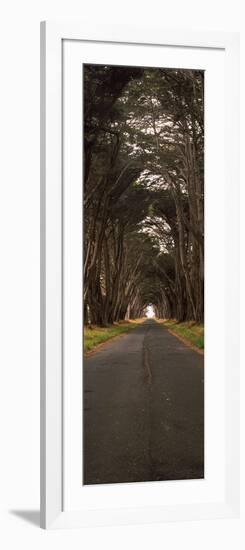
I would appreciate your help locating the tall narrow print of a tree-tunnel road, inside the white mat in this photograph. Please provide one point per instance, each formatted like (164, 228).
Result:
(143, 368)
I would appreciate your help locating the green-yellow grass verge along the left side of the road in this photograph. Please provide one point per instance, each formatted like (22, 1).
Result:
(97, 335)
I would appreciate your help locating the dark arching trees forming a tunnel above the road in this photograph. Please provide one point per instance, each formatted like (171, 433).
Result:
(143, 193)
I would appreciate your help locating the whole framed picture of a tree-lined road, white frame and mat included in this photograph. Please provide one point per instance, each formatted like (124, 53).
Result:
(139, 254)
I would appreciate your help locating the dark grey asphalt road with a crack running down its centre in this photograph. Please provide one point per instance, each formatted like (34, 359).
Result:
(143, 409)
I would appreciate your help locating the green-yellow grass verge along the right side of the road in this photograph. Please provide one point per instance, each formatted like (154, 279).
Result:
(191, 332)
